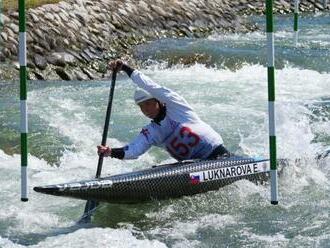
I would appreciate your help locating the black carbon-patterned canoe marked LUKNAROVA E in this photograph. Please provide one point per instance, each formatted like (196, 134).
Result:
(165, 181)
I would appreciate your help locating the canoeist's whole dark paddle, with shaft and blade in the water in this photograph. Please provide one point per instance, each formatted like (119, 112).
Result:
(91, 205)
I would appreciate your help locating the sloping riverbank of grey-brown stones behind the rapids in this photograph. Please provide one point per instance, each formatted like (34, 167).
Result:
(74, 38)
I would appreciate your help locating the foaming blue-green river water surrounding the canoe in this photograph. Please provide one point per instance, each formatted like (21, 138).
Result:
(230, 93)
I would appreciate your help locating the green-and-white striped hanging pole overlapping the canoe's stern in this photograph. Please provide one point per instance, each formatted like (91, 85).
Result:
(271, 99)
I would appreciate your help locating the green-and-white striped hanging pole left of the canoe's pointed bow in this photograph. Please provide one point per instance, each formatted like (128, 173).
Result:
(23, 98)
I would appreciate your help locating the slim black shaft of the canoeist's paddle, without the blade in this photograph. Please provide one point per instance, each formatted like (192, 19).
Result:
(106, 123)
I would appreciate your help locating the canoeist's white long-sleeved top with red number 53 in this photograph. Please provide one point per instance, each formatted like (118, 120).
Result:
(182, 133)
